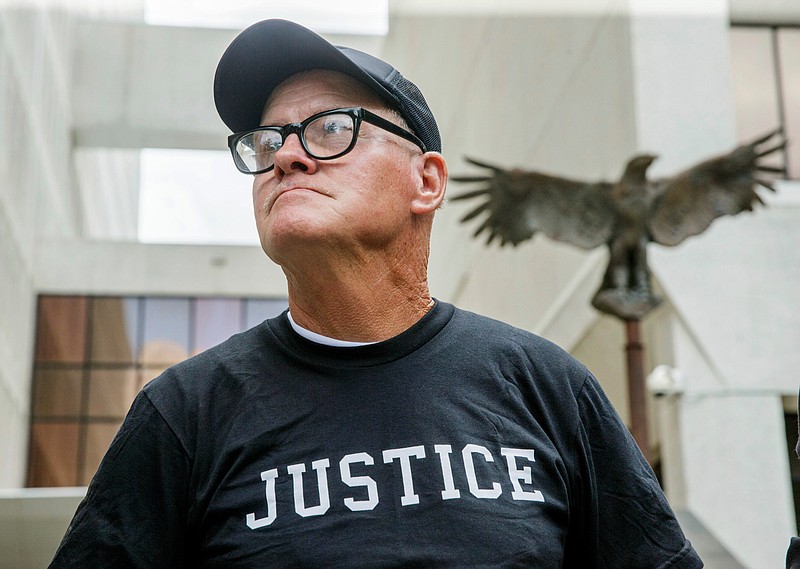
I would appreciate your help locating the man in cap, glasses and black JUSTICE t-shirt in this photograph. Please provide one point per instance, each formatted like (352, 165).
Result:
(369, 426)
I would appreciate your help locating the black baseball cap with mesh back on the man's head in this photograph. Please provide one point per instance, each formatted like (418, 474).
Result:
(270, 51)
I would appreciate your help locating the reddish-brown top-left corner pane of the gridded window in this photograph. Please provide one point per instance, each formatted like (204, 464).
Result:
(61, 329)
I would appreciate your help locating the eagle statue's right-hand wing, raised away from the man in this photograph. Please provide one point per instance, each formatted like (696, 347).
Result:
(687, 203)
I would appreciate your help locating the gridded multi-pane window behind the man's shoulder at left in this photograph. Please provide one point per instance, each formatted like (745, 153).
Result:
(94, 354)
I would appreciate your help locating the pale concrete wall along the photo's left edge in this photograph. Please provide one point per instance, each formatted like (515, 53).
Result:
(36, 198)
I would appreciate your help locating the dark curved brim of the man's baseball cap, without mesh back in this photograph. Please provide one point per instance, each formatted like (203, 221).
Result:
(263, 56)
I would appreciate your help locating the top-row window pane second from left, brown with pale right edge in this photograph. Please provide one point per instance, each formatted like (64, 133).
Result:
(114, 327)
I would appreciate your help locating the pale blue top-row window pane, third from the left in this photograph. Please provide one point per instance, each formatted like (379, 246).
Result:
(166, 331)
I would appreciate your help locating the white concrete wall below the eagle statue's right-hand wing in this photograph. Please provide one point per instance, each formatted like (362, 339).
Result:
(736, 343)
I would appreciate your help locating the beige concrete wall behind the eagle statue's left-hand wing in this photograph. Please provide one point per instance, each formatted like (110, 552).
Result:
(513, 90)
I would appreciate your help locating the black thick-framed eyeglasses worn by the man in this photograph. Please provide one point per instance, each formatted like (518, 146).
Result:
(324, 136)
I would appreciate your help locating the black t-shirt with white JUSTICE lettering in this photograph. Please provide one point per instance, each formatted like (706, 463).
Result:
(462, 442)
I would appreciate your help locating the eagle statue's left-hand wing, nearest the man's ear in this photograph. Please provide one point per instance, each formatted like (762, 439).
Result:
(519, 203)
